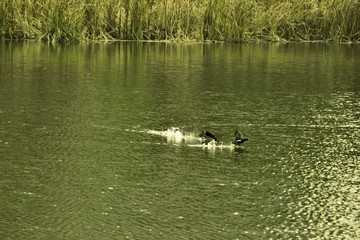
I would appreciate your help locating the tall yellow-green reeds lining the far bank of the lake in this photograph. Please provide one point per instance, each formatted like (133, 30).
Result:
(219, 20)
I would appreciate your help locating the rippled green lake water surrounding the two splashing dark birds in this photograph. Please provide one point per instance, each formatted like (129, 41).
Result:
(86, 152)
